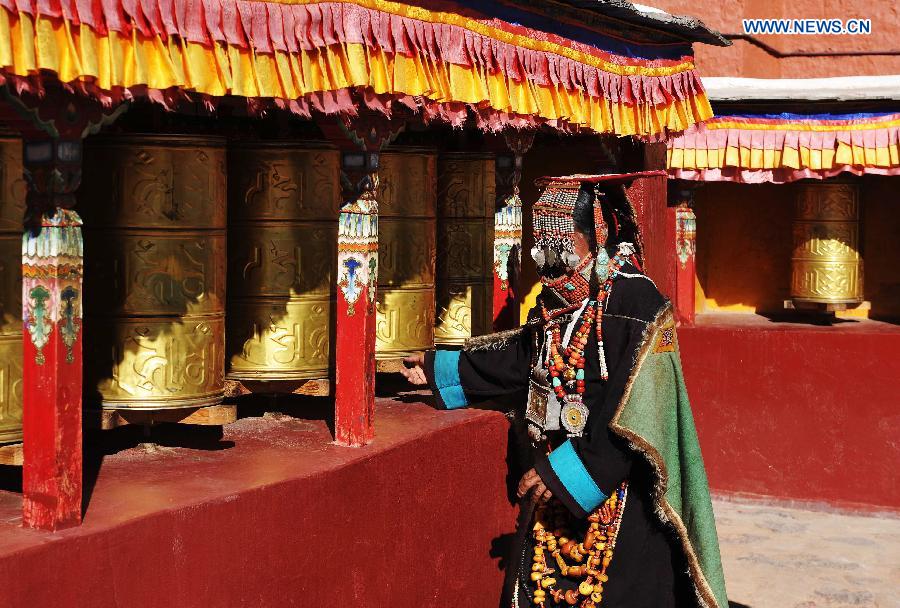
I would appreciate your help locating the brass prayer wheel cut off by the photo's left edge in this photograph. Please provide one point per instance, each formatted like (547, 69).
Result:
(12, 209)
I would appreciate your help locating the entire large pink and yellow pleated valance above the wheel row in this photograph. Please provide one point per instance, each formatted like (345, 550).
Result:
(445, 60)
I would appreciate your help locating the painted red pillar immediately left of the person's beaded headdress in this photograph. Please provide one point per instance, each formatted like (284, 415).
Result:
(508, 230)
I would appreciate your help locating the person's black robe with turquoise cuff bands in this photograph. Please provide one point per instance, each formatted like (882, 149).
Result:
(648, 570)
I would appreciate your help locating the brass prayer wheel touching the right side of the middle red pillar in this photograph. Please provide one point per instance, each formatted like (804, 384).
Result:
(406, 197)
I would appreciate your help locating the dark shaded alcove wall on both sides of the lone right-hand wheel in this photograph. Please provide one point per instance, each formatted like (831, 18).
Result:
(744, 247)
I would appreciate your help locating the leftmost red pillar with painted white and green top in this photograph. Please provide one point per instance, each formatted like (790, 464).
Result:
(51, 315)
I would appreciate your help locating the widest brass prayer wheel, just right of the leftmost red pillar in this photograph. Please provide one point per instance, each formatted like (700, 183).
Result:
(154, 211)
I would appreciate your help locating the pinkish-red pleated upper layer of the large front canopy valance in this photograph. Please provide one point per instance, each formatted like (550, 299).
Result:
(270, 26)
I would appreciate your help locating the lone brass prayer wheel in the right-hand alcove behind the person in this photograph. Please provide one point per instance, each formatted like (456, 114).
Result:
(826, 266)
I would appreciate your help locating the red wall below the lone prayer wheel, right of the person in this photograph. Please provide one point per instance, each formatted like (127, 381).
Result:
(797, 412)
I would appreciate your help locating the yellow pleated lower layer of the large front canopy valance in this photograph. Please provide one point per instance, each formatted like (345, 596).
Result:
(28, 46)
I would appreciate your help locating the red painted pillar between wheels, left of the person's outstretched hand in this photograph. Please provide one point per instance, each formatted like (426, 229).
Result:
(360, 138)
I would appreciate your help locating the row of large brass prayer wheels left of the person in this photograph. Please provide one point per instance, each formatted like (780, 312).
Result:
(171, 220)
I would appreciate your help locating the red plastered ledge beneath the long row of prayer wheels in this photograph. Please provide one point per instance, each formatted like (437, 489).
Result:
(281, 517)
